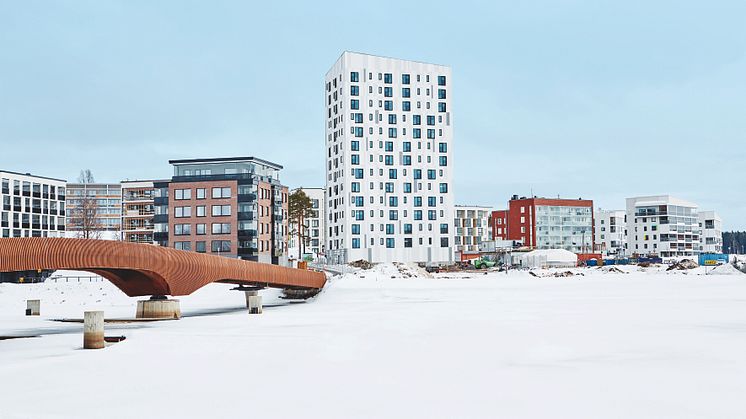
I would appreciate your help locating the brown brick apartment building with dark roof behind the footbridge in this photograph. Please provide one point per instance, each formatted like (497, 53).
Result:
(234, 207)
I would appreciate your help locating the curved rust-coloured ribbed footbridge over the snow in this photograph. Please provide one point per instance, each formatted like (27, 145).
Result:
(145, 269)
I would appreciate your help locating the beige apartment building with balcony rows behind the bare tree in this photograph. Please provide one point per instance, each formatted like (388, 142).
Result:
(107, 200)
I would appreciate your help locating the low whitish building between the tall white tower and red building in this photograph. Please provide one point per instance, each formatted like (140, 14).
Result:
(471, 228)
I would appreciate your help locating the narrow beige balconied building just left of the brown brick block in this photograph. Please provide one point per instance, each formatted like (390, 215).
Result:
(138, 210)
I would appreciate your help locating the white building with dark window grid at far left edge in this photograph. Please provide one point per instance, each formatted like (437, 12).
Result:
(32, 206)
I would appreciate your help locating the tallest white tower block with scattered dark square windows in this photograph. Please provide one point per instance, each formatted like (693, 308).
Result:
(388, 150)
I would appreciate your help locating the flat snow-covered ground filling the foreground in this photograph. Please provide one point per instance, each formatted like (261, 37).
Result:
(640, 344)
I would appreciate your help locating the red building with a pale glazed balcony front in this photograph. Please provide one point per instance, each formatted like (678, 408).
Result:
(542, 223)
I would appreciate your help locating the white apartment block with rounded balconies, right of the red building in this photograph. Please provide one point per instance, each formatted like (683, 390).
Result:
(662, 225)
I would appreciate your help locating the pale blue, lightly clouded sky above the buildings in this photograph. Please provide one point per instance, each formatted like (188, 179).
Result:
(602, 100)
